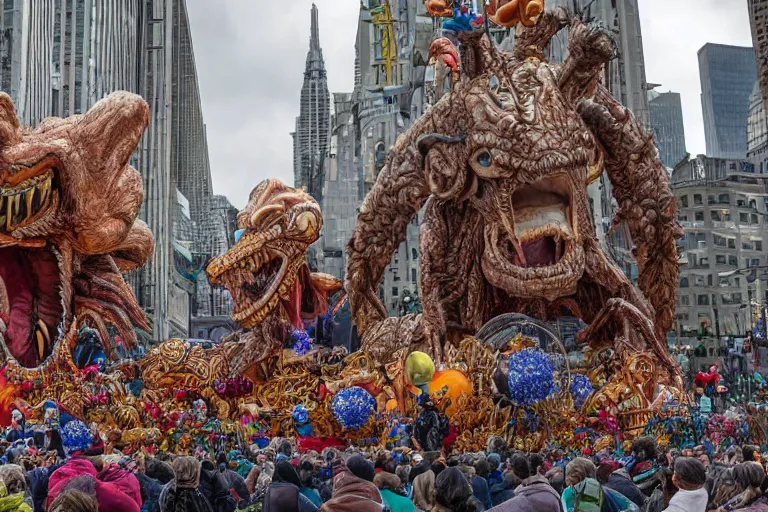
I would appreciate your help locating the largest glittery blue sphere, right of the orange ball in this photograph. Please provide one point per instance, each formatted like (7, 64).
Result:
(531, 377)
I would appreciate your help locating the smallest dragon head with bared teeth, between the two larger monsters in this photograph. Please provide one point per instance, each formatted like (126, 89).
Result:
(266, 270)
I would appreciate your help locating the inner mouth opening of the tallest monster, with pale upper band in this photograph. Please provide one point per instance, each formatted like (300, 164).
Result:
(542, 215)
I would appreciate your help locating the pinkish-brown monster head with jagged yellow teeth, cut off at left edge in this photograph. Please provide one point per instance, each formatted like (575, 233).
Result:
(69, 202)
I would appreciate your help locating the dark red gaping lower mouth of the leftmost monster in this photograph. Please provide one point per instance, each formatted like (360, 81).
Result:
(31, 307)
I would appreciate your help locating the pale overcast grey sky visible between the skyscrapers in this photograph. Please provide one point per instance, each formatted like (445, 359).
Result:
(251, 54)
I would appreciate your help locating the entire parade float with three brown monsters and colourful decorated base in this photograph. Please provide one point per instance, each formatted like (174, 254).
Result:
(499, 166)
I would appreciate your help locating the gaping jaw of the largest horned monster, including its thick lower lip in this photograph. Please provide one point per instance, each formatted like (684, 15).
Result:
(544, 247)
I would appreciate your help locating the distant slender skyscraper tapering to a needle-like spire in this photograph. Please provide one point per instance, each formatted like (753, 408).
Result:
(311, 138)
